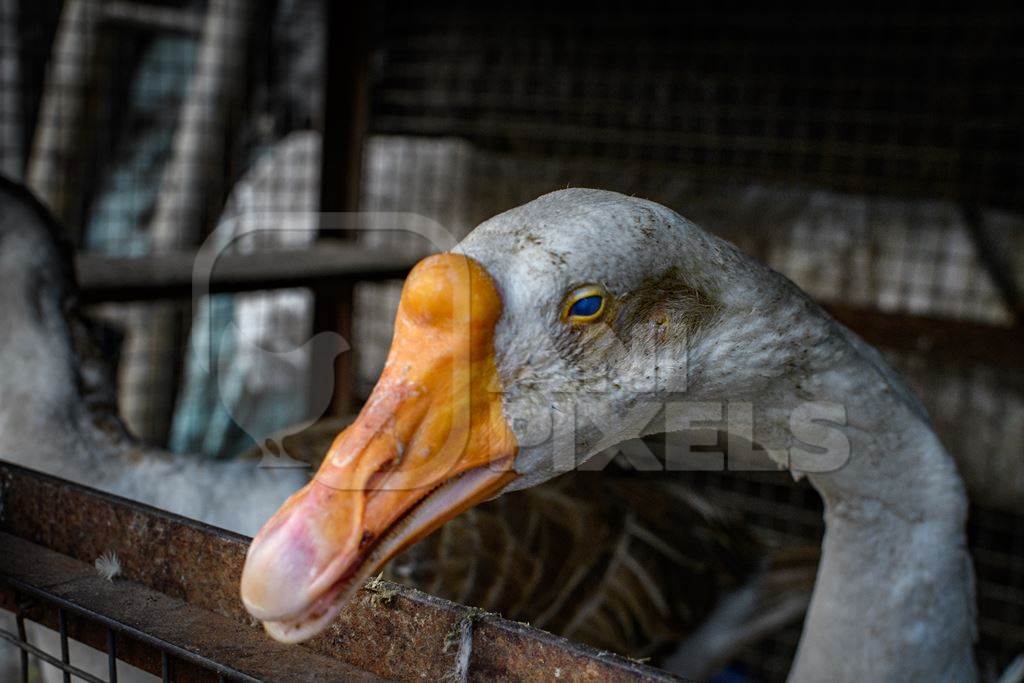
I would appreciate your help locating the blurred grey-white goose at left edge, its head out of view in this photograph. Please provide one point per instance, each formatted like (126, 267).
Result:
(59, 410)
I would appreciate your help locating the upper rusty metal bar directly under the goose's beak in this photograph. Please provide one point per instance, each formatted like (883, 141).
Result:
(192, 571)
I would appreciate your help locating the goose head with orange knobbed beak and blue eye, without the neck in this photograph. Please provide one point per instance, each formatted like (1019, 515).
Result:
(552, 332)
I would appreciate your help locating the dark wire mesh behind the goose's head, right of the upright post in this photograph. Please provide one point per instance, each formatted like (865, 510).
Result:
(869, 156)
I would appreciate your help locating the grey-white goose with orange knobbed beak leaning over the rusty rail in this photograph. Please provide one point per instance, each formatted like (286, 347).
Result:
(587, 318)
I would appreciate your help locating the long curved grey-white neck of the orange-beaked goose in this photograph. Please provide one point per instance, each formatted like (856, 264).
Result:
(894, 599)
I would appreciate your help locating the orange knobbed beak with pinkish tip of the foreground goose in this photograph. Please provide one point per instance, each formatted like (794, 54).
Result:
(431, 443)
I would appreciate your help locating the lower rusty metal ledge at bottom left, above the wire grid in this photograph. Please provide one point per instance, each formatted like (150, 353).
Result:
(92, 609)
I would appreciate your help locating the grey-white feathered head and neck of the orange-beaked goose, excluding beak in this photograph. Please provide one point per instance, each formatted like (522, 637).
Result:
(894, 599)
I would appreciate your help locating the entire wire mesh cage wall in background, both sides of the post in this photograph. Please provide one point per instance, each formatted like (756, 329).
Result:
(876, 158)
